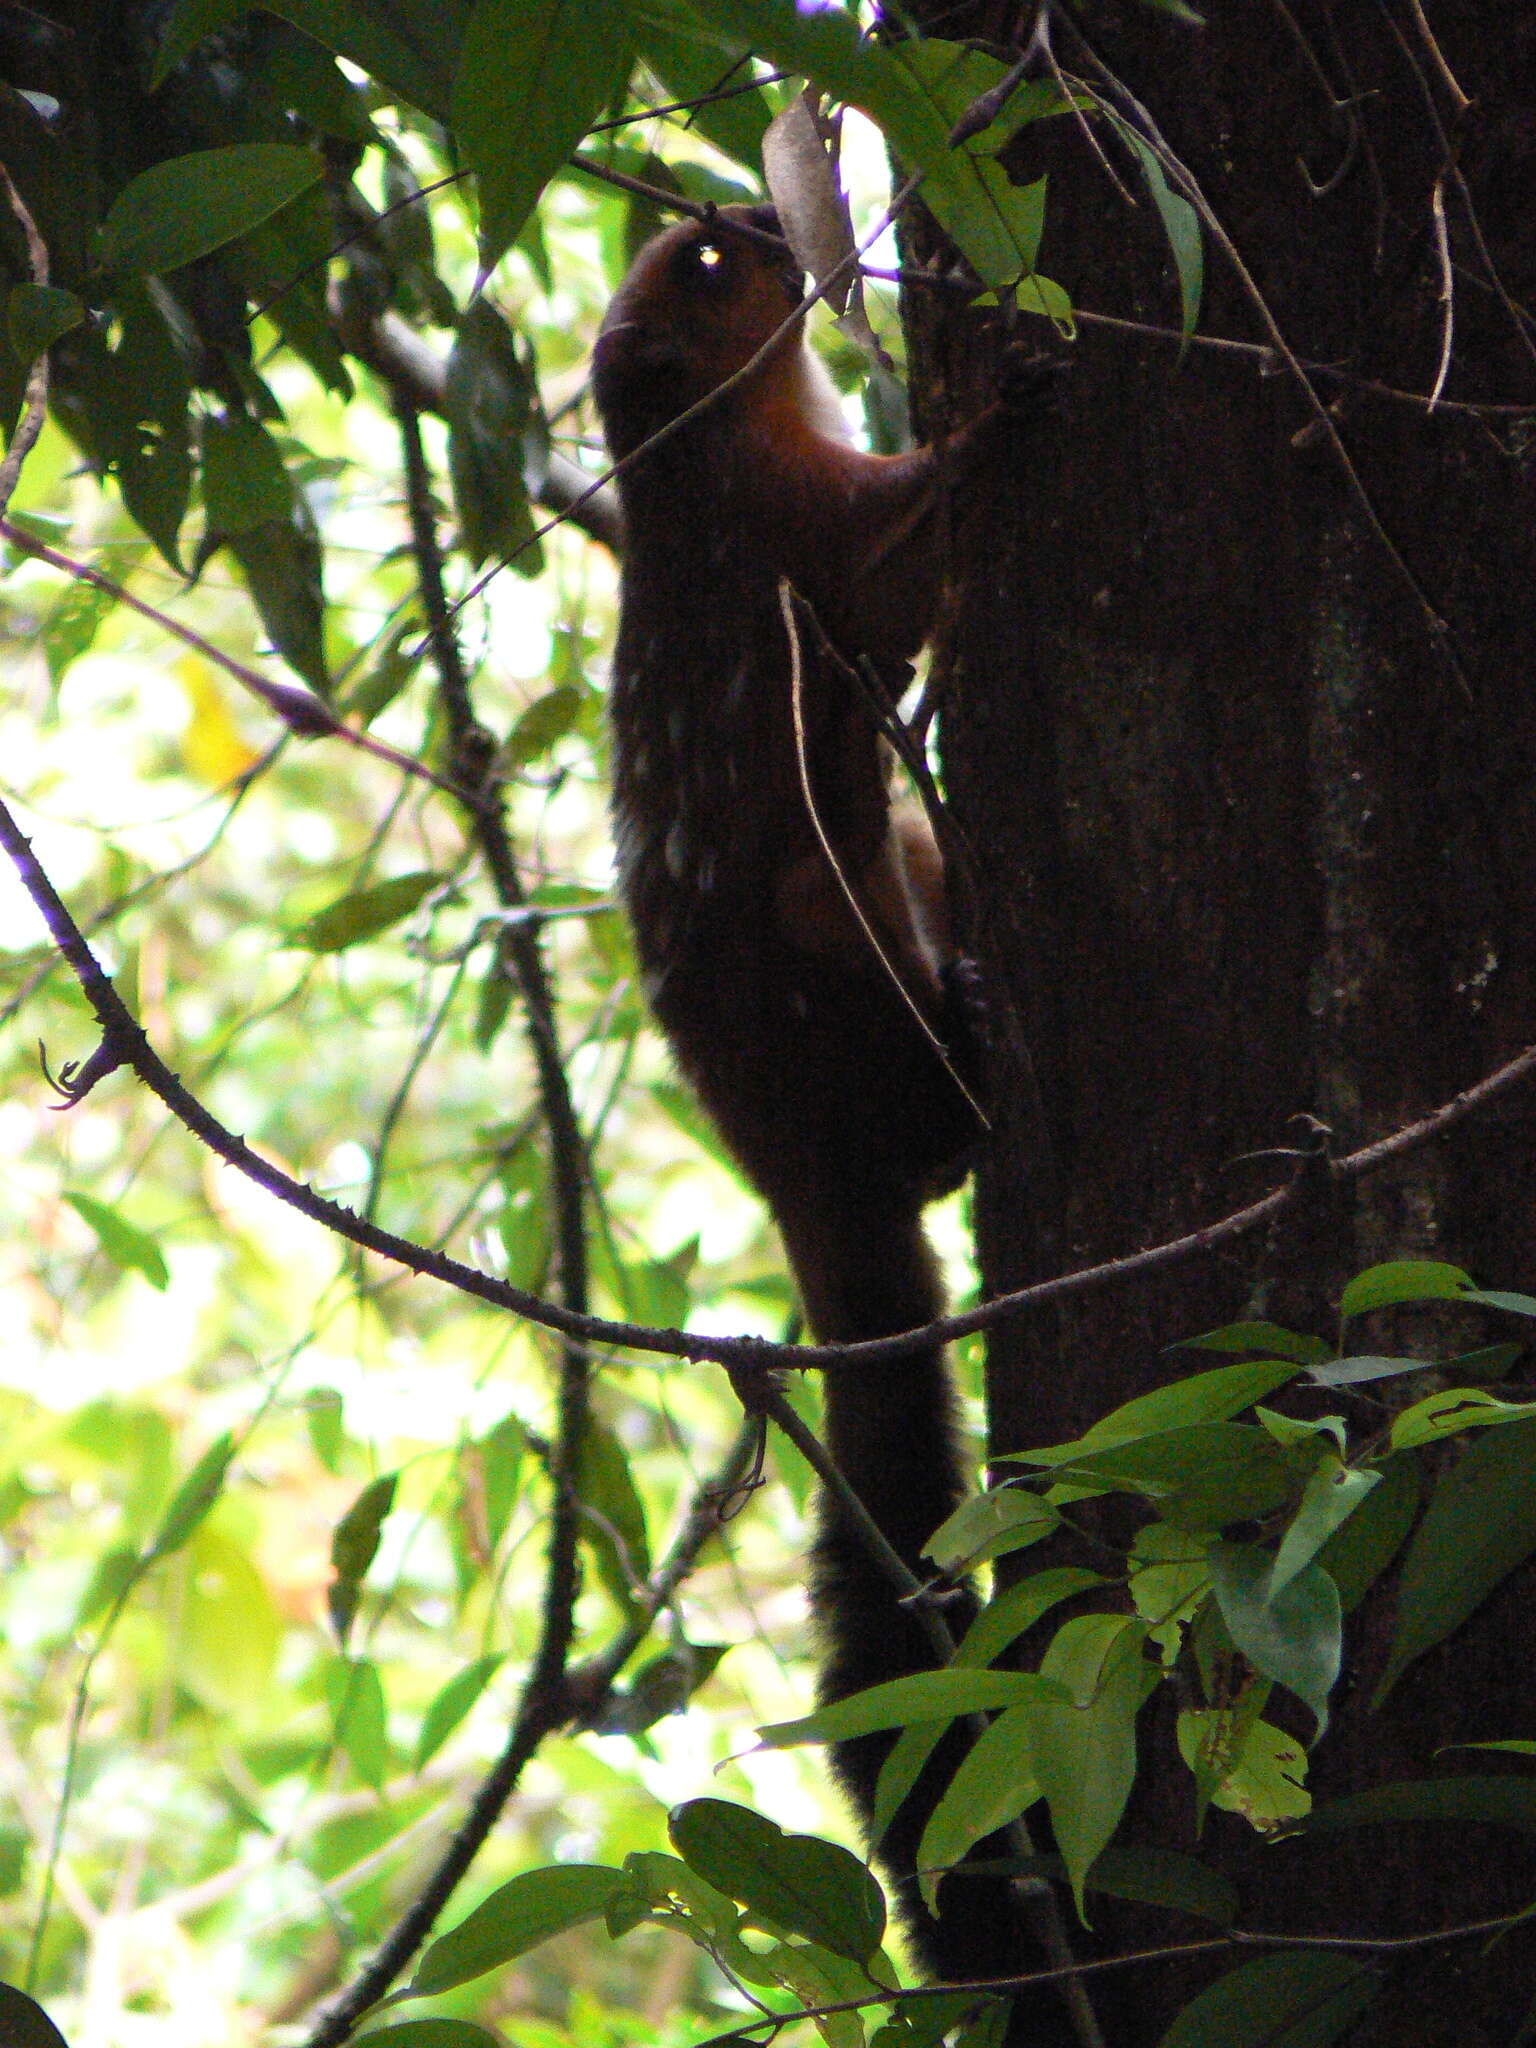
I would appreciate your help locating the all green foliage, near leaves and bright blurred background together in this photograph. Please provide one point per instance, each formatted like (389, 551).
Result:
(273, 1521)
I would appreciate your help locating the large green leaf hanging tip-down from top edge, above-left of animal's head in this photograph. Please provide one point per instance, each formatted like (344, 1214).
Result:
(531, 79)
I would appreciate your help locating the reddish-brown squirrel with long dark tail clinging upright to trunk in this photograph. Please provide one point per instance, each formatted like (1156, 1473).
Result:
(833, 1046)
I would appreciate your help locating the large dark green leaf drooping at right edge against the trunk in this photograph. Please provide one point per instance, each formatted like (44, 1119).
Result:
(1480, 1527)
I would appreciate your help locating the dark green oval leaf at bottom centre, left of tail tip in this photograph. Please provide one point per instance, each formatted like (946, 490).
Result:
(800, 1883)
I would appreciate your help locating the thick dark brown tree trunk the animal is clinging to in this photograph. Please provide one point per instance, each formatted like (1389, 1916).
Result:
(1256, 835)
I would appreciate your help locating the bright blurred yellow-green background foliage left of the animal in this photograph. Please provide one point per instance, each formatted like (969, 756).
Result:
(239, 1791)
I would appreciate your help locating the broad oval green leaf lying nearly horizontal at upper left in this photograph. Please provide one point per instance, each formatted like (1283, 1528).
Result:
(191, 206)
